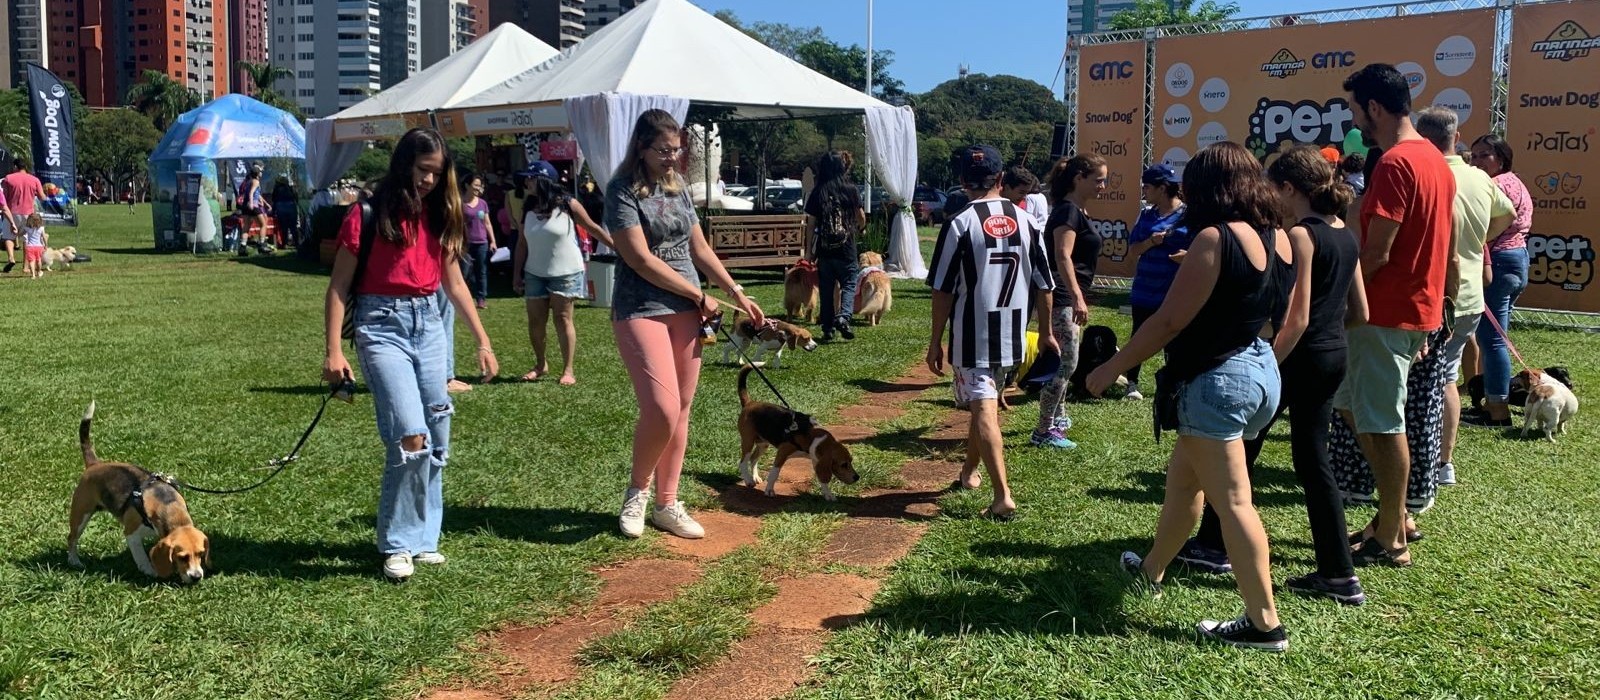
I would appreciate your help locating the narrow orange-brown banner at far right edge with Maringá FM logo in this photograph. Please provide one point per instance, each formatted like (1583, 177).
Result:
(1551, 125)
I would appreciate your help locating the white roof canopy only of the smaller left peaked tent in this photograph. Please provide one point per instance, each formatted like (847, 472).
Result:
(482, 65)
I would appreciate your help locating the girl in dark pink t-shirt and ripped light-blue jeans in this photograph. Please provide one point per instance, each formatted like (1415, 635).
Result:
(417, 237)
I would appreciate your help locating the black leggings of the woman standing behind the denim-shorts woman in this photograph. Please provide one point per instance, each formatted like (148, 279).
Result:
(1310, 381)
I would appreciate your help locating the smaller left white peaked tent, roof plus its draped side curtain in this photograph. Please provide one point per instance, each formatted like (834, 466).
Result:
(482, 65)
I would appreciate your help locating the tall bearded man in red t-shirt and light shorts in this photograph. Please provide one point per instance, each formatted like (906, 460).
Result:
(1409, 268)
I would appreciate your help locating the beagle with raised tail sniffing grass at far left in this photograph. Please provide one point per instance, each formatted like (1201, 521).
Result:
(148, 504)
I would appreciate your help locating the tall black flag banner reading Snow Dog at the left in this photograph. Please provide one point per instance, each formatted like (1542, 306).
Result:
(55, 151)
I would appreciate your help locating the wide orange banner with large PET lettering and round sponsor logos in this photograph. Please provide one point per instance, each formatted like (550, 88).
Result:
(1274, 89)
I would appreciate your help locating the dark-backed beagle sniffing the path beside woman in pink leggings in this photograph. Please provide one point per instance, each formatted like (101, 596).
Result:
(764, 424)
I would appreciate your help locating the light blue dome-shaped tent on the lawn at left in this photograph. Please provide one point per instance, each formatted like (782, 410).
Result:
(198, 167)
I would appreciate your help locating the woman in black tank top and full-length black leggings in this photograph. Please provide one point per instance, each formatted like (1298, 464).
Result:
(1311, 351)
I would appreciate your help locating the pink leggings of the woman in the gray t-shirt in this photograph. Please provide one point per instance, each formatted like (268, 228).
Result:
(663, 359)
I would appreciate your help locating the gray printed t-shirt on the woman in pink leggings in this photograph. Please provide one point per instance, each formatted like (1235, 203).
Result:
(670, 223)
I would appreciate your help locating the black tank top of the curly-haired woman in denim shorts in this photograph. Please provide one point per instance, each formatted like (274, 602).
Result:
(1242, 303)
